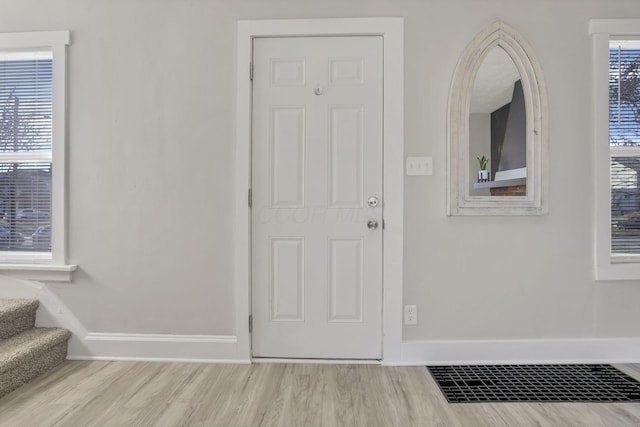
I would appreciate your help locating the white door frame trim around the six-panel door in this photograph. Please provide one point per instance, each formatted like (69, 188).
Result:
(392, 32)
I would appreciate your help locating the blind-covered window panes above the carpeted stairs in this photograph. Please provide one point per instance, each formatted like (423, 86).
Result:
(25, 150)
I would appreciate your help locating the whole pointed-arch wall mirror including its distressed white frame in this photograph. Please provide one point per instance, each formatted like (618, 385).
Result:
(497, 128)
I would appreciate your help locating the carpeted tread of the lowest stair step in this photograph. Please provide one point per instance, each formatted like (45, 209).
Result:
(29, 344)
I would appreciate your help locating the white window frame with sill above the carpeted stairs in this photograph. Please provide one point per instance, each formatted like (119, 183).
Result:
(34, 265)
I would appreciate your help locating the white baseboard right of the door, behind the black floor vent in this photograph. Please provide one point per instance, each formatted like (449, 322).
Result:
(612, 350)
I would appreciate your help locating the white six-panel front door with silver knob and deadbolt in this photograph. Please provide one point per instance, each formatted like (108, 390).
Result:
(316, 178)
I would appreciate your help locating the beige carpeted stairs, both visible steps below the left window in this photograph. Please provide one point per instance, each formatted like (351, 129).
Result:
(26, 351)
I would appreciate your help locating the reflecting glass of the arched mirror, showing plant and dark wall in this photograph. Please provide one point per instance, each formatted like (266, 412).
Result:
(497, 129)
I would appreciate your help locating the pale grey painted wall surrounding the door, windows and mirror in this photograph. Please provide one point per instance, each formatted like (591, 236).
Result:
(151, 154)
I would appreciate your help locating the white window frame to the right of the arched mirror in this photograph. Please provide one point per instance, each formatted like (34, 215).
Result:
(607, 265)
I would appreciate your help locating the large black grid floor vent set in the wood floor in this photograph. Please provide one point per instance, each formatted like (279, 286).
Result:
(535, 383)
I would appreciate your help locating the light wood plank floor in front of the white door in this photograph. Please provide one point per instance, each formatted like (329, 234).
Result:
(181, 394)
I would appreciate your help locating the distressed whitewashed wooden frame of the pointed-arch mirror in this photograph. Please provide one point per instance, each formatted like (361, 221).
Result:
(460, 202)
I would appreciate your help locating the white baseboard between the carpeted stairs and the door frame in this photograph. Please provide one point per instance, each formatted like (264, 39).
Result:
(155, 347)
